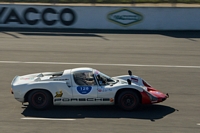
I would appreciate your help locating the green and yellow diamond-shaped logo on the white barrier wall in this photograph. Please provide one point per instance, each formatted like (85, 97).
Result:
(125, 17)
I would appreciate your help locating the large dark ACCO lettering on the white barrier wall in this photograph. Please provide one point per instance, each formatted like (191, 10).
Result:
(32, 16)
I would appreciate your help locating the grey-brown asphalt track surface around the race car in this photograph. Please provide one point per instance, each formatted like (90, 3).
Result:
(169, 61)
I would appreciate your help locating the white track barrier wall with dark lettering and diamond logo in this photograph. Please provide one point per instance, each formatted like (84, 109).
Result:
(97, 17)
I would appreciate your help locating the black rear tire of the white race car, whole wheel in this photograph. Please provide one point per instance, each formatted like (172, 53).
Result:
(40, 99)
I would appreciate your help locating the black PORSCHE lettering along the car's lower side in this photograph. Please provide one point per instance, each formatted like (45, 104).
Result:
(86, 99)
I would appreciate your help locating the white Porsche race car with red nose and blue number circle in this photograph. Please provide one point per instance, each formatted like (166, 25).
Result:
(84, 86)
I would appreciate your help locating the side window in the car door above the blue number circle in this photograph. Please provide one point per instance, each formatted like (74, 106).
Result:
(84, 78)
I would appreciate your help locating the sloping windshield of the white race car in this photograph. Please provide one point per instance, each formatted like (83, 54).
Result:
(103, 78)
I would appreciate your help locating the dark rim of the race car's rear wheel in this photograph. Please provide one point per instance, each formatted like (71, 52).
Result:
(39, 99)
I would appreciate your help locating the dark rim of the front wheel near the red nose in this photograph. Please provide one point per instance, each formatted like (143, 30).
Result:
(128, 101)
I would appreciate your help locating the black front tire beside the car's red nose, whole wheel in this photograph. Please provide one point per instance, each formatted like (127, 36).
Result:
(128, 100)
